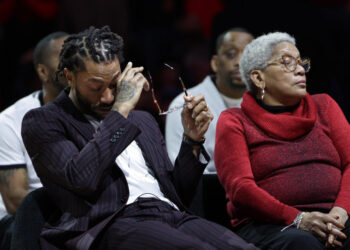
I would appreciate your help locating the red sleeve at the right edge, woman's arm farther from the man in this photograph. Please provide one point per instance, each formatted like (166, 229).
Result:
(339, 131)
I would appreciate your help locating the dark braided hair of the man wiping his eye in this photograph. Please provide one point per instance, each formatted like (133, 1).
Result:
(99, 45)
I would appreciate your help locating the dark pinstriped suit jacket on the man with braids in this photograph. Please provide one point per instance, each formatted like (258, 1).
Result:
(77, 167)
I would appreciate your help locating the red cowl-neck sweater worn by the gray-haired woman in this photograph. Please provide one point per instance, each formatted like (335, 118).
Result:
(274, 165)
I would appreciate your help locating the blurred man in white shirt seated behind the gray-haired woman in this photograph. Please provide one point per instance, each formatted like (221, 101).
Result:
(221, 91)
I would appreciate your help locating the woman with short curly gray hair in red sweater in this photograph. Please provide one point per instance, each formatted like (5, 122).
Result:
(284, 157)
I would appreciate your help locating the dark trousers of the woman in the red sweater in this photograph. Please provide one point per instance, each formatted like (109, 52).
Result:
(269, 236)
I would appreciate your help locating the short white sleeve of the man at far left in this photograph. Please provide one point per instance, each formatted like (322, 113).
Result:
(11, 145)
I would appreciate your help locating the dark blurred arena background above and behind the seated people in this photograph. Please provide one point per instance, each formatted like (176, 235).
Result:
(180, 33)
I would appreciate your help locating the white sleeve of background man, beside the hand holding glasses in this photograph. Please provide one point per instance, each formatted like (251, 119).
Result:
(174, 129)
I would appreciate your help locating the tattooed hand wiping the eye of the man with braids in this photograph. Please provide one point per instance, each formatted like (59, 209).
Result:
(129, 89)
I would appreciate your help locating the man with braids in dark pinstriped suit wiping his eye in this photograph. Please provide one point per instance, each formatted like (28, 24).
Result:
(105, 165)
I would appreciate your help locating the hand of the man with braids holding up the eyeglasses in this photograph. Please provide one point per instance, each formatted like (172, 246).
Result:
(196, 117)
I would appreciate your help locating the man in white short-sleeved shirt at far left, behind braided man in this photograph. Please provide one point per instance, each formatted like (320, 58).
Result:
(17, 175)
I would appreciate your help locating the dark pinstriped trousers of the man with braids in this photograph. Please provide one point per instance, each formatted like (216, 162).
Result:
(150, 223)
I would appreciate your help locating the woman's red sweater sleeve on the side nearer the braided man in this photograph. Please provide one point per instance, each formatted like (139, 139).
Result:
(234, 170)
